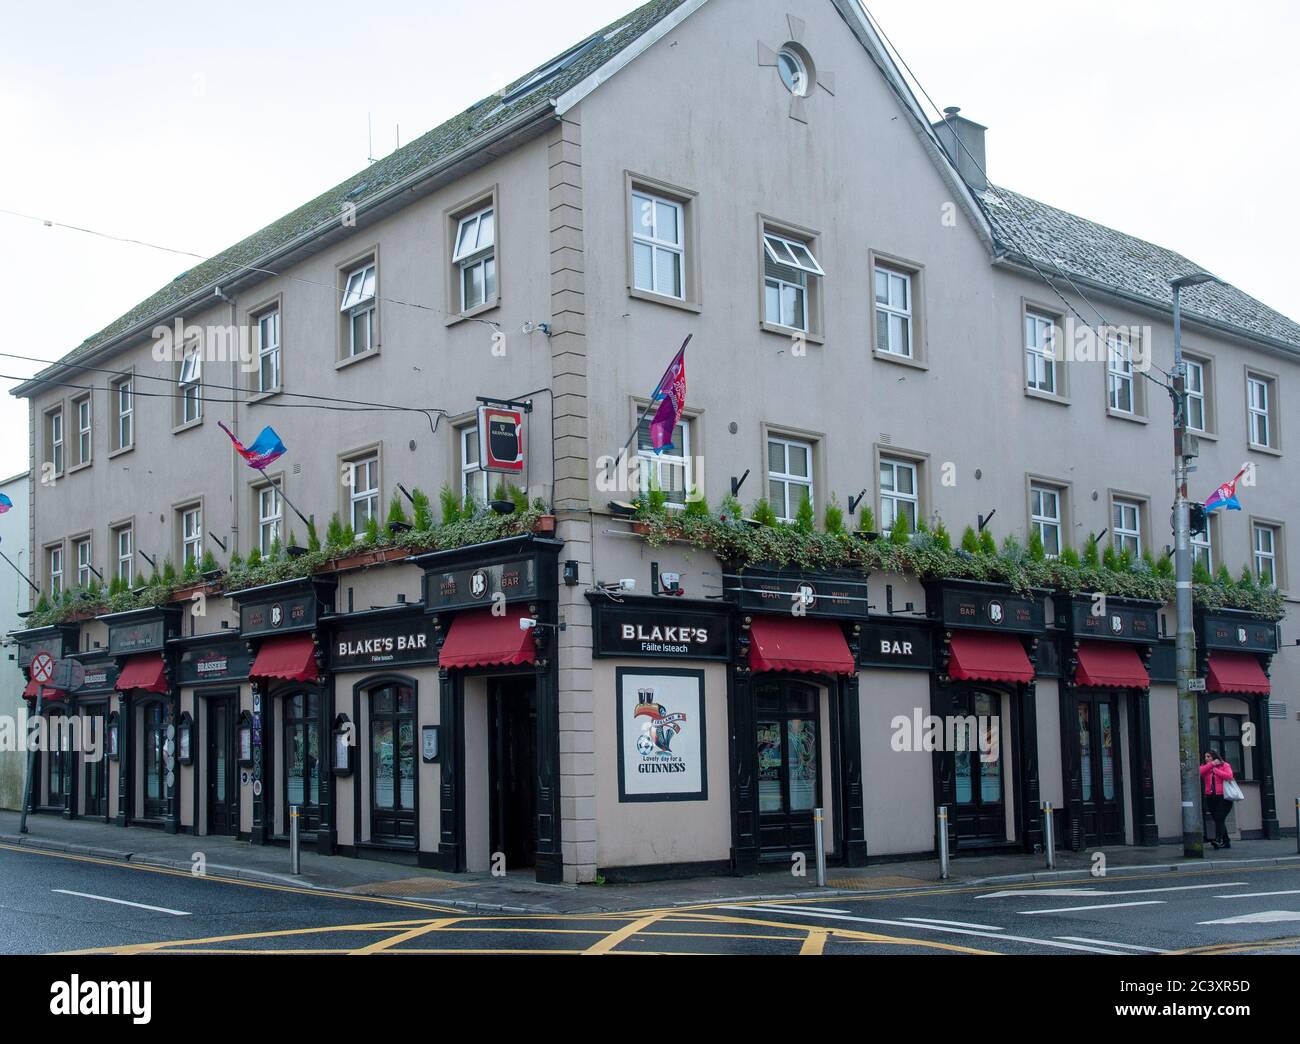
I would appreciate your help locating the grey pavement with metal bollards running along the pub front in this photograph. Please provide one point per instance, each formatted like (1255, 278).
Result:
(521, 894)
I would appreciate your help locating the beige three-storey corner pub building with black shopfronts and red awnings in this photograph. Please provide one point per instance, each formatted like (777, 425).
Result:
(873, 326)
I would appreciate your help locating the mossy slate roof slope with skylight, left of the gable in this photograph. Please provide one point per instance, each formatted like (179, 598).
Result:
(457, 133)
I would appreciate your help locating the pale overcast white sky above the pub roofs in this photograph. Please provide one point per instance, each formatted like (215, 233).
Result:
(193, 125)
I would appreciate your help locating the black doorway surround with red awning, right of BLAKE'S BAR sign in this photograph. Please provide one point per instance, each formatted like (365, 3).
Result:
(496, 629)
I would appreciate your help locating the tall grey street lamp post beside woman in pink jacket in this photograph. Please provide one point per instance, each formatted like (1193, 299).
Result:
(1189, 734)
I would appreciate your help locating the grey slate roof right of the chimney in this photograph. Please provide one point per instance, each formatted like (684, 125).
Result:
(1060, 240)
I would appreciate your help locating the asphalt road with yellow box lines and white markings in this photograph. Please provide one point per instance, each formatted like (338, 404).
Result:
(54, 903)
